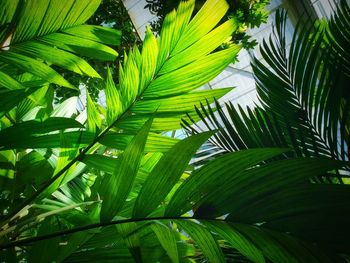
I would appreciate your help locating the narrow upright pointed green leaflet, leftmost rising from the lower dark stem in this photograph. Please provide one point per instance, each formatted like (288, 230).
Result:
(116, 187)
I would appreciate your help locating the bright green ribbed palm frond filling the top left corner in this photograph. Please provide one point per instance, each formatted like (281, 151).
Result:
(30, 41)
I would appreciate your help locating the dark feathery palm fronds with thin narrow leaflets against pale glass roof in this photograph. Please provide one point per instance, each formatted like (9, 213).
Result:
(302, 93)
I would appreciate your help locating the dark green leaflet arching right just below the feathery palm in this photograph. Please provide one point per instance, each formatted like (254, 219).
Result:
(252, 185)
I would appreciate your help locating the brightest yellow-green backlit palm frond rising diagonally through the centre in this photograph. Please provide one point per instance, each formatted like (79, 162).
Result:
(139, 93)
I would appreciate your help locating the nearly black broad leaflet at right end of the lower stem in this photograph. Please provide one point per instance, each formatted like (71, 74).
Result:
(299, 210)
